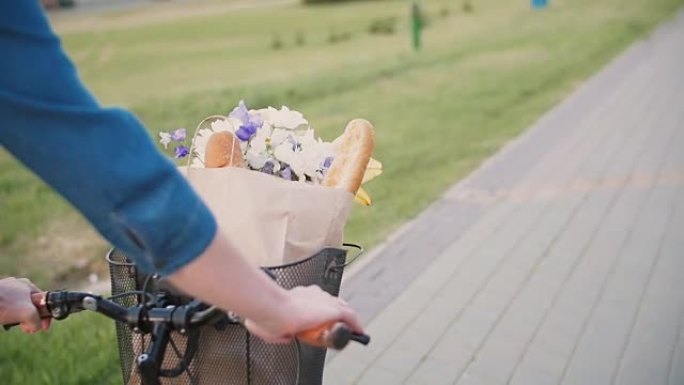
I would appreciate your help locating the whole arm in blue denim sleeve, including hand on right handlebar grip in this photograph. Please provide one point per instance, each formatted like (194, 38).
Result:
(104, 163)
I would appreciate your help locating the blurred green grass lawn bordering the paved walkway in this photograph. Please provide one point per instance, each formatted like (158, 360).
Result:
(479, 80)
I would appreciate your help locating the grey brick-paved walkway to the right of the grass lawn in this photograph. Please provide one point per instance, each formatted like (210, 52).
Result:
(561, 261)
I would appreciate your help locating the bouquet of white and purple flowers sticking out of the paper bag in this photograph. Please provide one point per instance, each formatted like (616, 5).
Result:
(276, 142)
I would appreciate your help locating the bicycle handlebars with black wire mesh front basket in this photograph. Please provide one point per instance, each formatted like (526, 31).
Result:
(208, 345)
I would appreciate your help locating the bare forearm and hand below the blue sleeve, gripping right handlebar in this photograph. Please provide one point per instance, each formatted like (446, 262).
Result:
(220, 276)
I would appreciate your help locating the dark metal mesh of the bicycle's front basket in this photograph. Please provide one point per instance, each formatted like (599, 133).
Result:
(227, 354)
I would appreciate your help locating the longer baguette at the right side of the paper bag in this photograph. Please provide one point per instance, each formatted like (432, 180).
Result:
(354, 151)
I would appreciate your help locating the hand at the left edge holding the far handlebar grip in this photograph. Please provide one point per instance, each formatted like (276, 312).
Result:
(16, 305)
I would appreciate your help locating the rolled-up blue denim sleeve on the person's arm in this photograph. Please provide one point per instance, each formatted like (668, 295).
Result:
(101, 160)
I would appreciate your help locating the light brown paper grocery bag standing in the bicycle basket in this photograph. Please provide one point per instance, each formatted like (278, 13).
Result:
(272, 220)
